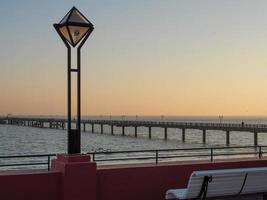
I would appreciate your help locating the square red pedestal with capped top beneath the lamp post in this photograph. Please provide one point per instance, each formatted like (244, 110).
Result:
(78, 177)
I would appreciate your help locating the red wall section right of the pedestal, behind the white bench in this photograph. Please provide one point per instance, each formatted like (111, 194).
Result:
(151, 182)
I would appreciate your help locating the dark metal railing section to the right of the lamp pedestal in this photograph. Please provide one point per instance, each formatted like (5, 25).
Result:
(179, 154)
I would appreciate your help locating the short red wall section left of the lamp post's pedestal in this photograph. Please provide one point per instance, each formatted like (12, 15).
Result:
(29, 185)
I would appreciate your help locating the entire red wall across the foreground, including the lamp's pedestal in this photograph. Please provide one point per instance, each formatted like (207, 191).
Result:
(76, 177)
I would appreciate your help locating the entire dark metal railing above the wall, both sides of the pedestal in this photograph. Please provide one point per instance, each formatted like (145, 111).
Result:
(142, 156)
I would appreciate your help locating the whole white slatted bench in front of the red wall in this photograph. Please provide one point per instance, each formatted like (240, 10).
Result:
(222, 183)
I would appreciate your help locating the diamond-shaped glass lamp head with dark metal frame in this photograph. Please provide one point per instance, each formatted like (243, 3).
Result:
(74, 27)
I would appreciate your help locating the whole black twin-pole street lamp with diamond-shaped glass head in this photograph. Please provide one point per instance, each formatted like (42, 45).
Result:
(74, 29)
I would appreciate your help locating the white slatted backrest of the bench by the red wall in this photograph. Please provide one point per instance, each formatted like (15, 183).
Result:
(229, 182)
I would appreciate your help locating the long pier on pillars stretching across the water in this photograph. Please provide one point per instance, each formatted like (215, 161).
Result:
(57, 123)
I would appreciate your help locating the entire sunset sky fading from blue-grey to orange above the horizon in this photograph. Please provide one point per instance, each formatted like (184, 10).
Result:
(152, 57)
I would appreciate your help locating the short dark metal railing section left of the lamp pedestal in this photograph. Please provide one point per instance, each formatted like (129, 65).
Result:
(26, 160)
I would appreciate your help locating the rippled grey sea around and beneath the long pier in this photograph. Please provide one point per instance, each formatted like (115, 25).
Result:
(17, 140)
